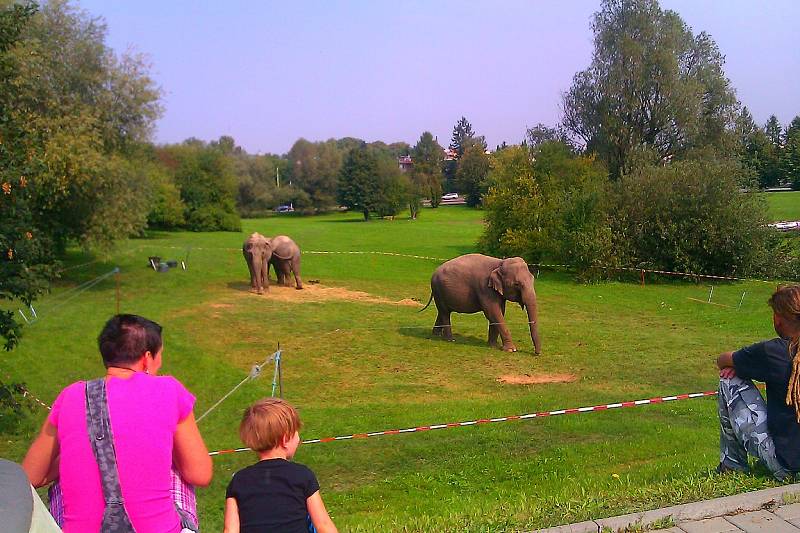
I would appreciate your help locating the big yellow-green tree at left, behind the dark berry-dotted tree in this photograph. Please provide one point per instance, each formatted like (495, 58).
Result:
(93, 110)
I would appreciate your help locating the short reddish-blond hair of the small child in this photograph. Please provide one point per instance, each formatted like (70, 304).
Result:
(267, 422)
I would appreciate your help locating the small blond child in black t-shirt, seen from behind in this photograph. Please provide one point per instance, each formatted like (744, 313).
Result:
(274, 494)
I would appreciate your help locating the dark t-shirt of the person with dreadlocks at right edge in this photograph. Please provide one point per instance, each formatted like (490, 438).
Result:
(770, 362)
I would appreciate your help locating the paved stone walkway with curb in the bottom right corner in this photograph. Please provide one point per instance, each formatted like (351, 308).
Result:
(762, 511)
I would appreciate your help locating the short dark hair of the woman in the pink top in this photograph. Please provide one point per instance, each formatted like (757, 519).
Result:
(126, 338)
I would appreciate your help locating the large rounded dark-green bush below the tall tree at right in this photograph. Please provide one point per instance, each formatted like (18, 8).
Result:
(691, 216)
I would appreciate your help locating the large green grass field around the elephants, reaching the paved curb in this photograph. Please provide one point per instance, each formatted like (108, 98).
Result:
(353, 366)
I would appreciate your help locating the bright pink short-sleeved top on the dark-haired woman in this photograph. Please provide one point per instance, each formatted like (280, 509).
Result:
(144, 412)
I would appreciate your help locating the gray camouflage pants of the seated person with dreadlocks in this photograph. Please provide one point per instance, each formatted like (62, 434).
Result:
(743, 427)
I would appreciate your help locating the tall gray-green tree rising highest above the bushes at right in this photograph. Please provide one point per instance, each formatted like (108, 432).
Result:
(653, 91)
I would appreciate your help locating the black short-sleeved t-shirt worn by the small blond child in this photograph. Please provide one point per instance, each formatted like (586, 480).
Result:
(271, 496)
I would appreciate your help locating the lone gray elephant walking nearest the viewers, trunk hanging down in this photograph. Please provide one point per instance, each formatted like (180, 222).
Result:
(475, 282)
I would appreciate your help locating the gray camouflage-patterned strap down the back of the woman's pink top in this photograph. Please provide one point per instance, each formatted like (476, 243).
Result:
(98, 424)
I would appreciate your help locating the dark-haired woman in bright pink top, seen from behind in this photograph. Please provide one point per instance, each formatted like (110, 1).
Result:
(153, 427)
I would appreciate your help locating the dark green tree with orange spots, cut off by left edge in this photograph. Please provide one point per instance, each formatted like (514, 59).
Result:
(26, 260)
